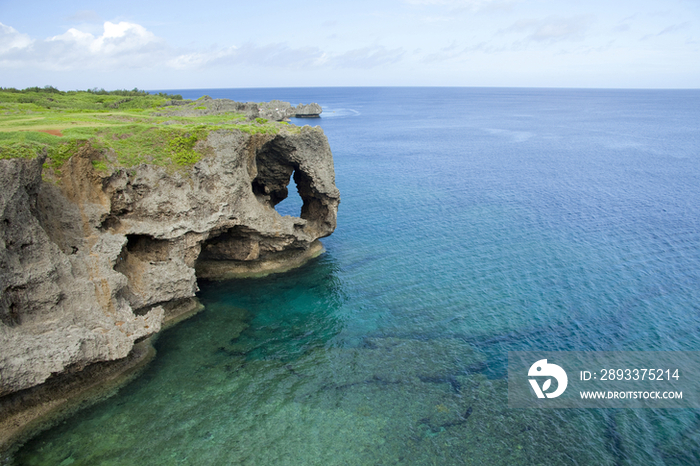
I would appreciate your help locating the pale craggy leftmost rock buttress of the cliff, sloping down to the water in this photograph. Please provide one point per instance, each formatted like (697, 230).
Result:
(57, 309)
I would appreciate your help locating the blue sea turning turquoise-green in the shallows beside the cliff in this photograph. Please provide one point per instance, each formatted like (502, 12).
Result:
(473, 222)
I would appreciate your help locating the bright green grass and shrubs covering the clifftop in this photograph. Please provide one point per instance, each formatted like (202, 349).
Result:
(128, 128)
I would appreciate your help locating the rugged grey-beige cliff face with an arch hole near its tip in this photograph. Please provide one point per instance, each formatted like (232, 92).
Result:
(93, 263)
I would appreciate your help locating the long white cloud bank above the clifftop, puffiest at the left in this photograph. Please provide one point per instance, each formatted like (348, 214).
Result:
(127, 45)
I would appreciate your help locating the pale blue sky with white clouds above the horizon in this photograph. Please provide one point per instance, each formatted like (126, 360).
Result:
(269, 43)
